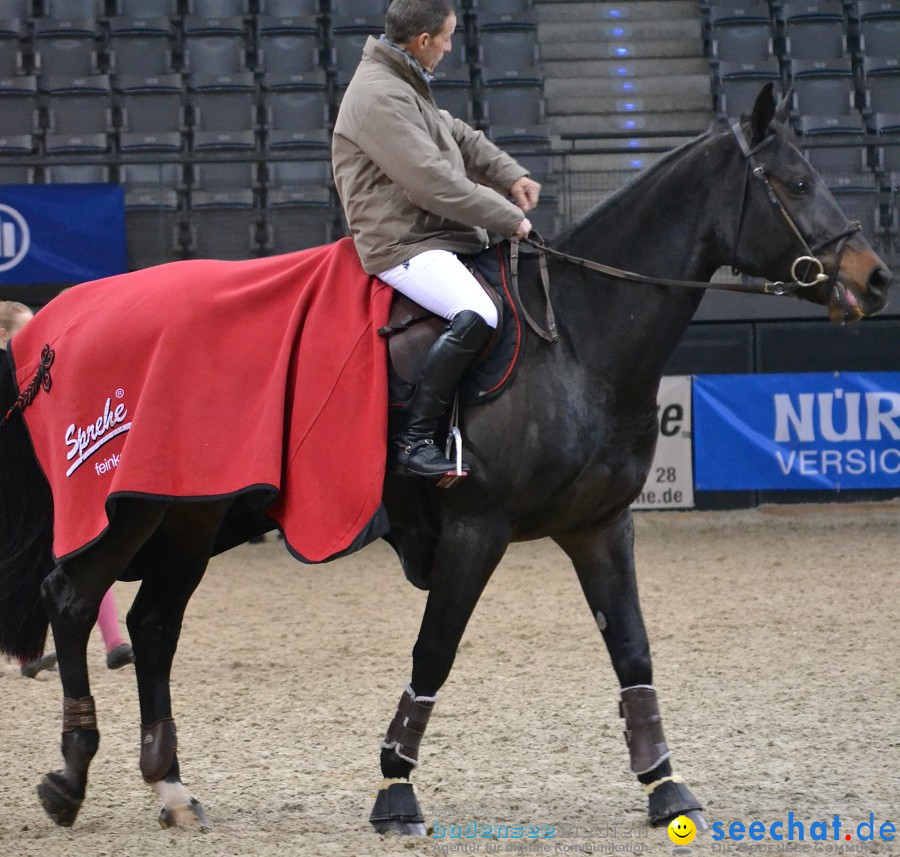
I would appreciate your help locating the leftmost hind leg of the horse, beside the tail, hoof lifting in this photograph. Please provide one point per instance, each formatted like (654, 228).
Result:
(72, 594)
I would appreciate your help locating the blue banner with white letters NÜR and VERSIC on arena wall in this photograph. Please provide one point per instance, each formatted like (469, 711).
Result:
(833, 431)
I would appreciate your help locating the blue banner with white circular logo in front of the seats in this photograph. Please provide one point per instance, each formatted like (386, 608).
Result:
(61, 233)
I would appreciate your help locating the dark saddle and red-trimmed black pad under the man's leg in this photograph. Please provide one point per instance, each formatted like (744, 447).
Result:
(412, 330)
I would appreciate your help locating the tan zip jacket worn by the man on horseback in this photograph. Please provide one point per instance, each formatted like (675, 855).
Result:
(402, 168)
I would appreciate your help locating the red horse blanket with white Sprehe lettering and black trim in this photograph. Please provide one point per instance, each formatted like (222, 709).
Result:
(205, 379)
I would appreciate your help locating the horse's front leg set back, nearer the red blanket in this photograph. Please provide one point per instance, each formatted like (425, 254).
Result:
(466, 556)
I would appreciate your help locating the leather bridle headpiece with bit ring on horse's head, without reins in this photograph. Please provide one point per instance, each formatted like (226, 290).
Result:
(809, 258)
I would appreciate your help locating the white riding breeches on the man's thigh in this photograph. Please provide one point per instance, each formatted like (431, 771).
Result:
(439, 282)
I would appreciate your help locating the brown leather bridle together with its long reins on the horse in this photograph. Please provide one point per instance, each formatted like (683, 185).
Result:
(814, 269)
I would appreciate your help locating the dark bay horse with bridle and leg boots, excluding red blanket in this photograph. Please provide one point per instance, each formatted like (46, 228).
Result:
(561, 454)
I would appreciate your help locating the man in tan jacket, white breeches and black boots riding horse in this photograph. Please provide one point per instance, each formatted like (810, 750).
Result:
(402, 169)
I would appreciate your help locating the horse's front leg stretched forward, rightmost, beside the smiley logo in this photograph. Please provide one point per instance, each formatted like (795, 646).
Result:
(604, 560)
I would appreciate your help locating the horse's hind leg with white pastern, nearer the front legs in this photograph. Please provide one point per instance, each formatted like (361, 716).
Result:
(171, 566)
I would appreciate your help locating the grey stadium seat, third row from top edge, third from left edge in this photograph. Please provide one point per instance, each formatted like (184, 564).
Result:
(151, 114)
